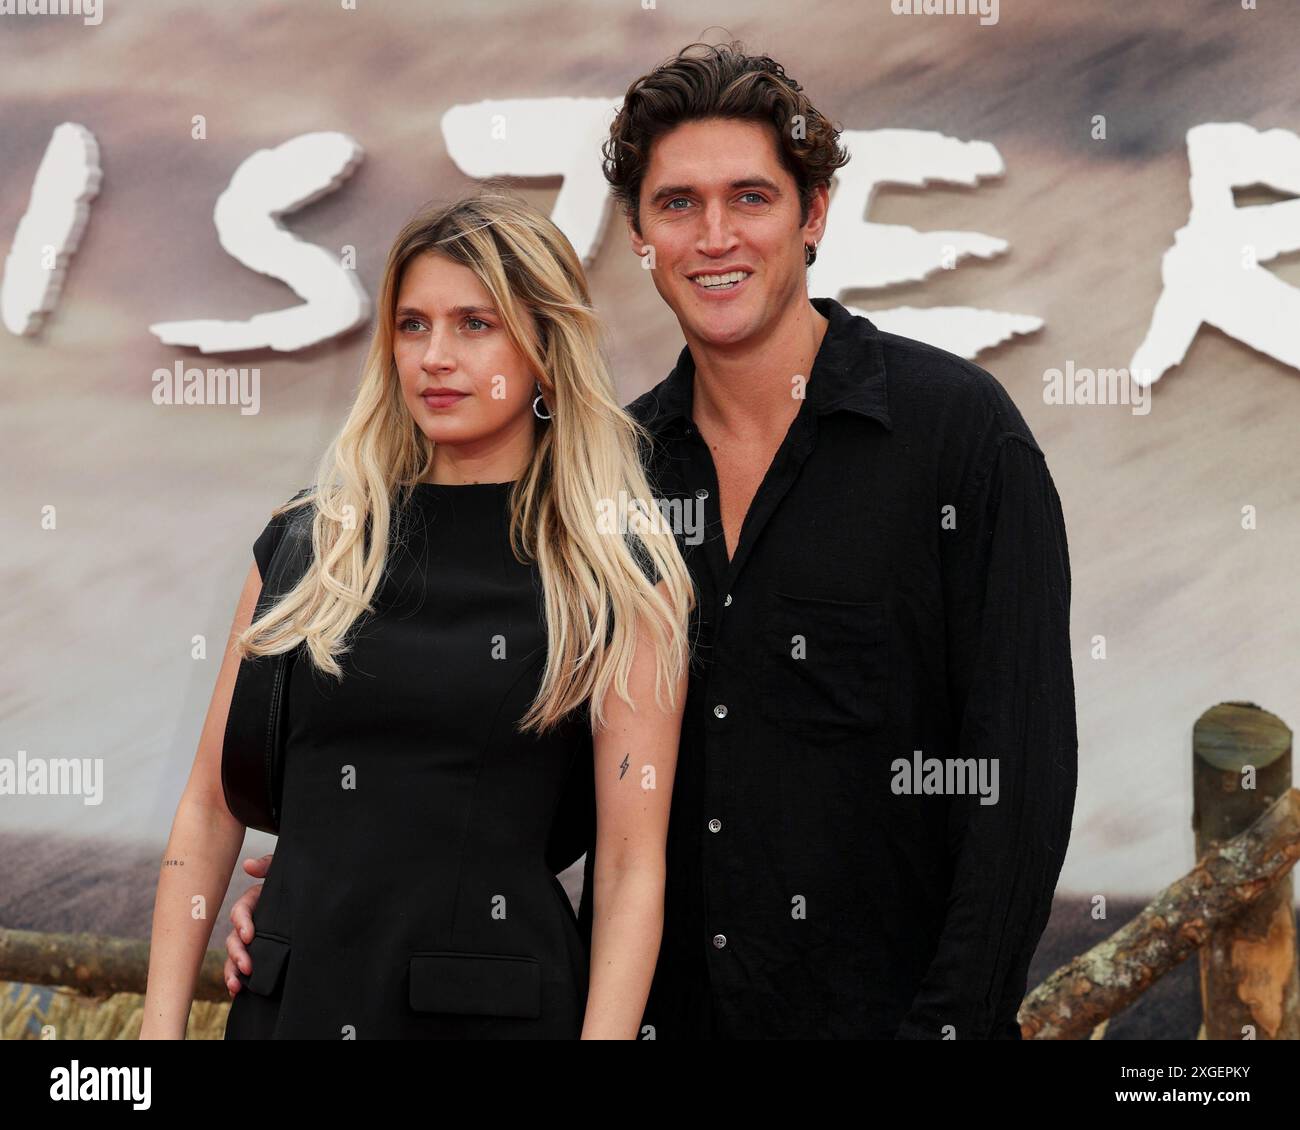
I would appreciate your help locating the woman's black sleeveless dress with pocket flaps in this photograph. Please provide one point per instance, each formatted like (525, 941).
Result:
(409, 897)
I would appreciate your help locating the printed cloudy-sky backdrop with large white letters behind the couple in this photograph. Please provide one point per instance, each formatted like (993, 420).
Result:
(1029, 175)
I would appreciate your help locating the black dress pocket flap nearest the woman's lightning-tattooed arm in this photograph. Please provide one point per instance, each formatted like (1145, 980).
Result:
(476, 984)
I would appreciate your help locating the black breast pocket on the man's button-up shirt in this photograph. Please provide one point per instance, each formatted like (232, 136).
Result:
(825, 668)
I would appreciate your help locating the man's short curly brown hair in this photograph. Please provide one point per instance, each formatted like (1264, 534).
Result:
(723, 83)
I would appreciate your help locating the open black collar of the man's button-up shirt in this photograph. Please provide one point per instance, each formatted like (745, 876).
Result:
(848, 374)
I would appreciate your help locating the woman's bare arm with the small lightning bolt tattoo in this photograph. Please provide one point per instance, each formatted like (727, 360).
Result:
(636, 759)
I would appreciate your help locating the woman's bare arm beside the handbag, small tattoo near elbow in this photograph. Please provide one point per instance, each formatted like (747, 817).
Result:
(200, 859)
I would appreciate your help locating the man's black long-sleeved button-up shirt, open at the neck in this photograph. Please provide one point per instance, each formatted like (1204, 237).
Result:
(899, 600)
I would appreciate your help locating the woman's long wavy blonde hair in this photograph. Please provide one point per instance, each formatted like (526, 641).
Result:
(586, 462)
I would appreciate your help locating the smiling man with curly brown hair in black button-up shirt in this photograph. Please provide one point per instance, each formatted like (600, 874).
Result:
(885, 579)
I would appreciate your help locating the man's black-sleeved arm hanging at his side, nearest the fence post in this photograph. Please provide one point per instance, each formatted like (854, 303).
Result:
(1007, 578)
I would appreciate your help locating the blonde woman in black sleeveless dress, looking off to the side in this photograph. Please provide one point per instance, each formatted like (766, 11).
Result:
(470, 625)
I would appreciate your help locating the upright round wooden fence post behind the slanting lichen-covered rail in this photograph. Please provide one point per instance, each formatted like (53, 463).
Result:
(1250, 979)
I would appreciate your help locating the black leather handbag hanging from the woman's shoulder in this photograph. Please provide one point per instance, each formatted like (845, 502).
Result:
(253, 754)
